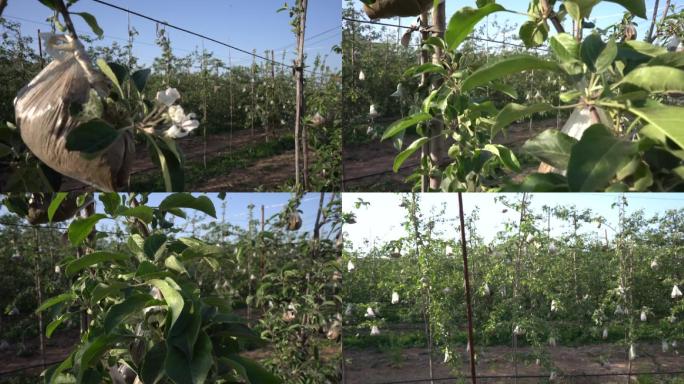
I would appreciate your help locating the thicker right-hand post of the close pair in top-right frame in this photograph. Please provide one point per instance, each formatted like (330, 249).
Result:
(436, 126)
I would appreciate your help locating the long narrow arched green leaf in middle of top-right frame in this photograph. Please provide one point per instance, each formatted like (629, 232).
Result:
(505, 67)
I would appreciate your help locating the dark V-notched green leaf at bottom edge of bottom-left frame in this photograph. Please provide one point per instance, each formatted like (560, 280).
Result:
(191, 370)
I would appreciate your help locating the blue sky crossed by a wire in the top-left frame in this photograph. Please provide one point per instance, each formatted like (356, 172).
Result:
(245, 24)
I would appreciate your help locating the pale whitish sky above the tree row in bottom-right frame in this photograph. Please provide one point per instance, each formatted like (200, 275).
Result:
(381, 221)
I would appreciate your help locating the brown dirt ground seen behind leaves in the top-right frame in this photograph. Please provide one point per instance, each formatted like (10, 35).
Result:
(368, 166)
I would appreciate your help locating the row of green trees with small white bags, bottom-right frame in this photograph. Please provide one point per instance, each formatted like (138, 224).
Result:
(563, 287)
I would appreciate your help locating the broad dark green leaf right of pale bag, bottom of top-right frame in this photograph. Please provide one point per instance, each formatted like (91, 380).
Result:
(596, 158)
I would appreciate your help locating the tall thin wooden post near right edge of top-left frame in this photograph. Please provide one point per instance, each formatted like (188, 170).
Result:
(299, 79)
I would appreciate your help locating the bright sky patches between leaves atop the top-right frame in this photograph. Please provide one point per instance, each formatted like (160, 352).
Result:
(603, 14)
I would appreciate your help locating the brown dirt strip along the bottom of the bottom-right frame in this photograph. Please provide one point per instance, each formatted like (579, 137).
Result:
(374, 367)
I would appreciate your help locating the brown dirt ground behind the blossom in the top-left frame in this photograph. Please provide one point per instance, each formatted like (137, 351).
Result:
(269, 172)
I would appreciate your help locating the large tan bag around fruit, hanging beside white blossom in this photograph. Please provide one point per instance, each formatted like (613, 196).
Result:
(45, 117)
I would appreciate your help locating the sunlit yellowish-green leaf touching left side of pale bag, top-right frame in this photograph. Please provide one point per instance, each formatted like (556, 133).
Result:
(552, 147)
